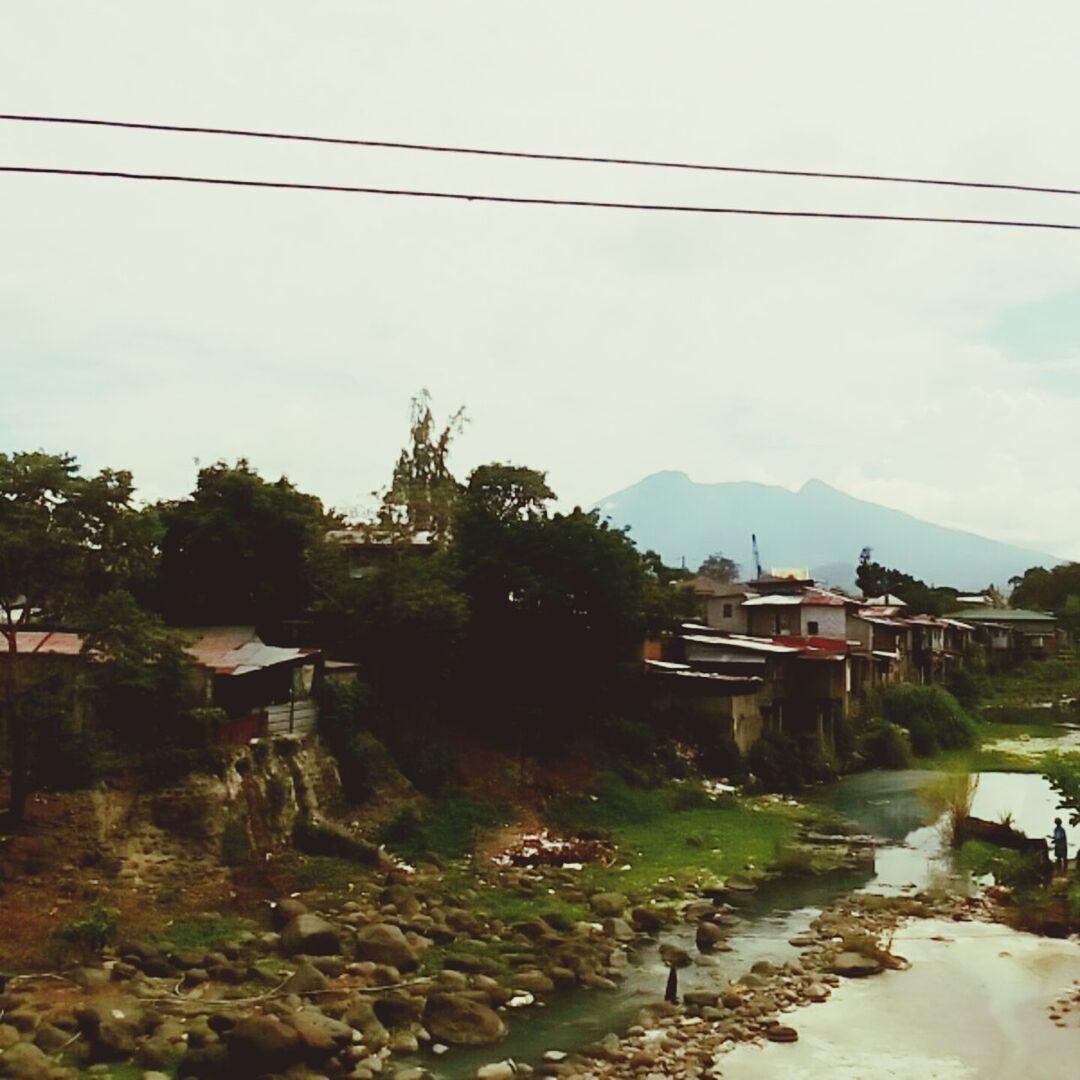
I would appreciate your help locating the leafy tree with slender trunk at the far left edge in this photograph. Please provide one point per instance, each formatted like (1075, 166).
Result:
(63, 539)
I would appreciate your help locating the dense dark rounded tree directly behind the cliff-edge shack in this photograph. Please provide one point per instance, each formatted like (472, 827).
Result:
(239, 549)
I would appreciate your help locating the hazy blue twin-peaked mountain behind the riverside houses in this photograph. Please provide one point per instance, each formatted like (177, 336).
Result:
(817, 529)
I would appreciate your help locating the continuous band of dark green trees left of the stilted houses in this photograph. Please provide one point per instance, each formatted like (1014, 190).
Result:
(507, 620)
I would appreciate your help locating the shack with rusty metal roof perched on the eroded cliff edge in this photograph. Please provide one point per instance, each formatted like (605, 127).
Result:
(264, 690)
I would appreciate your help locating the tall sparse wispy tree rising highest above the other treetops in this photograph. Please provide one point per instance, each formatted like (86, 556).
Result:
(424, 493)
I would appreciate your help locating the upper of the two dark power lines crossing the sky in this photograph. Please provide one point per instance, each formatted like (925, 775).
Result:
(536, 156)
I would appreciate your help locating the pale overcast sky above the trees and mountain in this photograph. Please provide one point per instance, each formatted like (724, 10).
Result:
(934, 369)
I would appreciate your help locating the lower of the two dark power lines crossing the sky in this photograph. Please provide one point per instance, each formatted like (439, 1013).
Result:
(526, 201)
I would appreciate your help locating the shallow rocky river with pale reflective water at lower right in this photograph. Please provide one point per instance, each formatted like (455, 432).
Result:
(983, 997)
